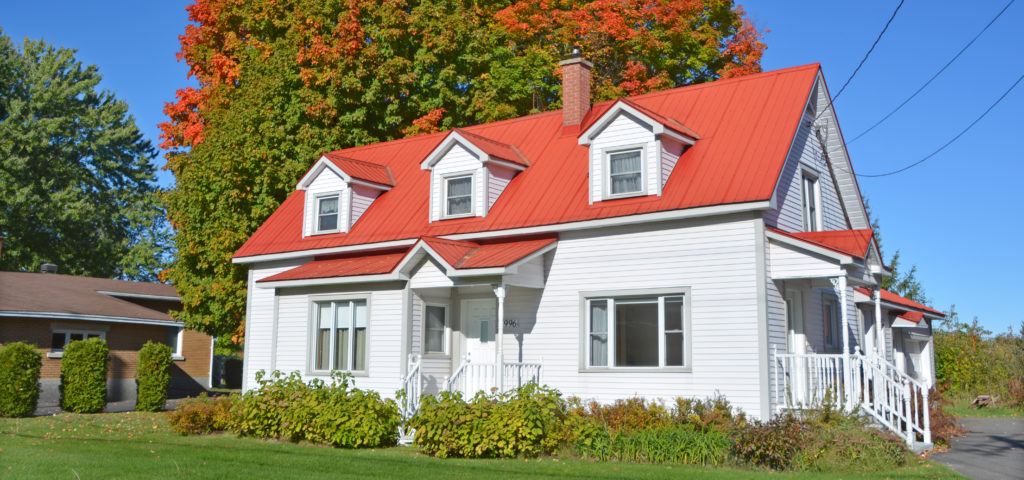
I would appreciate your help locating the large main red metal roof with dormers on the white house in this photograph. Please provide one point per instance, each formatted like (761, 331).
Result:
(747, 125)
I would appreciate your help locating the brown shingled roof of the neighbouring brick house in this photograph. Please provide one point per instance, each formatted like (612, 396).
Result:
(68, 296)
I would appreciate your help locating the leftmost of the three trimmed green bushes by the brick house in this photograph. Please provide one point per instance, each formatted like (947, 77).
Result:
(20, 365)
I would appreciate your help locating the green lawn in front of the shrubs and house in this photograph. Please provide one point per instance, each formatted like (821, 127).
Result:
(142, 446)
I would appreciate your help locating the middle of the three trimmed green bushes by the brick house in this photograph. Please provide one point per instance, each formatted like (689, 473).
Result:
(83, 376)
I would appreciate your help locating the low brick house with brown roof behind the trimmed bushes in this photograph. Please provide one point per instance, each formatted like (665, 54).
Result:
(51, 311)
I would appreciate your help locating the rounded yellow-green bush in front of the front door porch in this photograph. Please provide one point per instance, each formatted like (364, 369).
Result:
(527, 422)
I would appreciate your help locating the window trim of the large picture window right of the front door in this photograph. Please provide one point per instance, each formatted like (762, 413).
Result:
(587, 297)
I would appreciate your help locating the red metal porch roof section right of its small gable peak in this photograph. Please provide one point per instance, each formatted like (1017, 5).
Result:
(474, 255)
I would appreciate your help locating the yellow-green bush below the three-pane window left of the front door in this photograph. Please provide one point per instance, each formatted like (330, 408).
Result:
(287, 408)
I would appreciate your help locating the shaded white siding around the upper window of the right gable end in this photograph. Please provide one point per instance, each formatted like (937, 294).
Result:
(806, 155)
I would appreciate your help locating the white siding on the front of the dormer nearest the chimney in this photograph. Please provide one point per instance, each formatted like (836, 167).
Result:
(624, 132)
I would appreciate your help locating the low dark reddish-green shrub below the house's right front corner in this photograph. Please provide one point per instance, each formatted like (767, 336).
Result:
(771, 445)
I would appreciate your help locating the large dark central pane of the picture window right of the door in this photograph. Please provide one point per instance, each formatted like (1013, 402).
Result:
(636, 333)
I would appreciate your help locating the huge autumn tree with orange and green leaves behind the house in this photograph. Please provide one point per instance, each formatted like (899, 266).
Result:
(281, 81)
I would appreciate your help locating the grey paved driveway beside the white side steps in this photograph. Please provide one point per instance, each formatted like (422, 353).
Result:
(994, 449)
